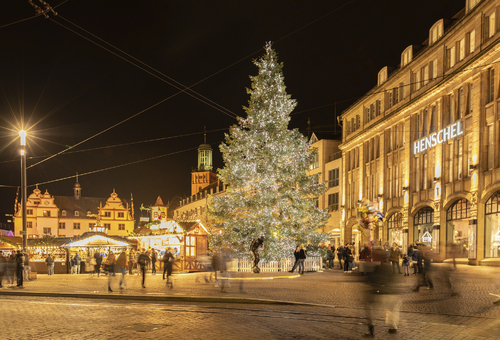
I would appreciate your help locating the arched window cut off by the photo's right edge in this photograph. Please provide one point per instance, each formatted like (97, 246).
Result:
(492, 226)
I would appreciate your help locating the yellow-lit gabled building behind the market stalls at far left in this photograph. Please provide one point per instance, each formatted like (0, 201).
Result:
(68, 216)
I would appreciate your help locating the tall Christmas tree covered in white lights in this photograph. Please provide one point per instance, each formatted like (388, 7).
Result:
(269, 192)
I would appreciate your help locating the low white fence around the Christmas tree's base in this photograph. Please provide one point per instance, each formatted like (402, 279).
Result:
(311, 264)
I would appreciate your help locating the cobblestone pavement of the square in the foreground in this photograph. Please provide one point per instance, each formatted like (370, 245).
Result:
(428, 314)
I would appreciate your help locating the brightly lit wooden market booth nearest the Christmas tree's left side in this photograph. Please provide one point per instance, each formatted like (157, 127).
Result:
(189, 240)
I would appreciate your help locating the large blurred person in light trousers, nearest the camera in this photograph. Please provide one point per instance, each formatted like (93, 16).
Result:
(381, 296)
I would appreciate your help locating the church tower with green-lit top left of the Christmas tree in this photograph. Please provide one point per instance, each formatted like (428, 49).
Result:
(203, 175)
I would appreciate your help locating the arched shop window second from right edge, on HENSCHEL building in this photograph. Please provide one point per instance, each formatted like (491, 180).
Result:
(458, 231)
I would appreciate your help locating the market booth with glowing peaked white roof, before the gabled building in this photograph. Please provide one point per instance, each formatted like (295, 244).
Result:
(96, 242)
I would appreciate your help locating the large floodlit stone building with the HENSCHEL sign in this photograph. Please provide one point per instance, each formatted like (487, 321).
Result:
(424, 142)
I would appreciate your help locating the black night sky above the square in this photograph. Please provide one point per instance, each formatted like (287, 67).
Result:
(63, 88)
